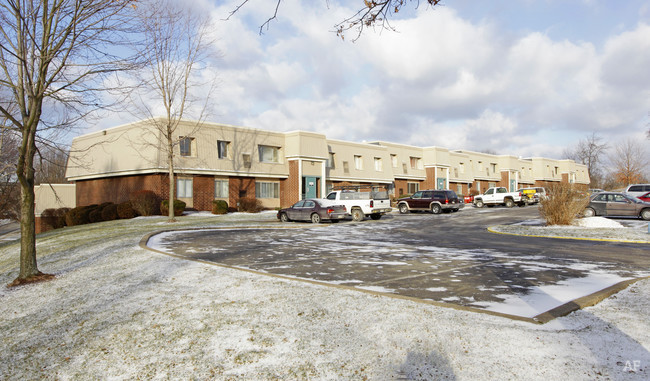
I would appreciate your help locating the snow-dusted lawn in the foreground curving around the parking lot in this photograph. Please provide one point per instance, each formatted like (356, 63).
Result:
(117, 311)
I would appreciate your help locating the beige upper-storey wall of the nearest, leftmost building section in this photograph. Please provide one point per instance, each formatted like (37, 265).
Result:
(136, 148)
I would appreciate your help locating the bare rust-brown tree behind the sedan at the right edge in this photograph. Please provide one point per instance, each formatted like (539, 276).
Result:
(629, 163)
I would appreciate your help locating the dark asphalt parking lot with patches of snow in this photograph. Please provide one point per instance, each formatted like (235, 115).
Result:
(447, 258)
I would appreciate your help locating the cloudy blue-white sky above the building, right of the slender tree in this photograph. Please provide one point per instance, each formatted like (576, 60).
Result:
(527, 78)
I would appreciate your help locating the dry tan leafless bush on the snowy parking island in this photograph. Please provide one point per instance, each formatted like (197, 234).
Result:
(562, 204)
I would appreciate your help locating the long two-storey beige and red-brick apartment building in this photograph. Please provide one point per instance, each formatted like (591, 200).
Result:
(230, 163)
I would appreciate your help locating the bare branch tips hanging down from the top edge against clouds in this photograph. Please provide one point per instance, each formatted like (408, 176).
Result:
(372, 14)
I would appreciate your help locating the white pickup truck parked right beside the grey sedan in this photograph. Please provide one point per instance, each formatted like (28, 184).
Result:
(358, 204)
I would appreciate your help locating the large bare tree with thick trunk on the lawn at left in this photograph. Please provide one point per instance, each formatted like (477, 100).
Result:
(53, 57)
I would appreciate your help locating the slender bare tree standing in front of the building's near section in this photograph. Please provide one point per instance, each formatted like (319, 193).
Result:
(177, 44)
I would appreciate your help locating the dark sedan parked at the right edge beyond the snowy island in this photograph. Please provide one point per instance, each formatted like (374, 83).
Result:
(617, 204)
